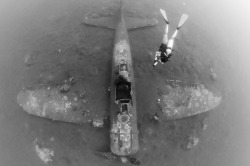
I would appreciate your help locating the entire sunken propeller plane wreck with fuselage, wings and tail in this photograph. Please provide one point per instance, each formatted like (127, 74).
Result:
(177, 100)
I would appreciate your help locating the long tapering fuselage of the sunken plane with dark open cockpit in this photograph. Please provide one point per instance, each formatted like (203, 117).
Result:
(123, 132)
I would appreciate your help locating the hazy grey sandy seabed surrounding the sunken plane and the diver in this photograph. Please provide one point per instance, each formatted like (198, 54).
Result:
(215, 36)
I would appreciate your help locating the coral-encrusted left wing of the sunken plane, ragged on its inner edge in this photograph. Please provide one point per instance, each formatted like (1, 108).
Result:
(58, 103)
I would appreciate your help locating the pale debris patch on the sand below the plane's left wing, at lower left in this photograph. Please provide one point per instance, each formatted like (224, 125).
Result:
(45, 154)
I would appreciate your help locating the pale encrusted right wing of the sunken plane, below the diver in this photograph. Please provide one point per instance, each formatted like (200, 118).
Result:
(179, 99)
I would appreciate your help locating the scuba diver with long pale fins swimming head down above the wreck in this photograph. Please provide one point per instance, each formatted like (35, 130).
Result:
(166, 48)
